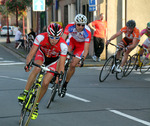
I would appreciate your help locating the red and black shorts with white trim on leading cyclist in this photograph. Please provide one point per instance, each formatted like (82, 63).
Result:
(51, 62)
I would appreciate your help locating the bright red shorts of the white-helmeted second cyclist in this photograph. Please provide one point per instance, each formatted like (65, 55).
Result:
(78, 47)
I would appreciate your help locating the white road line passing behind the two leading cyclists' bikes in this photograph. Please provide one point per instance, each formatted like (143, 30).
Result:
(69, 95)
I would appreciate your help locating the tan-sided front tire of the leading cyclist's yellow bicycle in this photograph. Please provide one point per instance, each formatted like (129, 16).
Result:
(34, 104)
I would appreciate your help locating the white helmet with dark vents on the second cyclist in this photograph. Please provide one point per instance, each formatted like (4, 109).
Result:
(80, 19)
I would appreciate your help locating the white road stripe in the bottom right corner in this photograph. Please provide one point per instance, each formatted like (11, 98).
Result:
(130, 117)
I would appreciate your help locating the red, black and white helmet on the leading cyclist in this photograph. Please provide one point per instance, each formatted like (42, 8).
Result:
(54, 29)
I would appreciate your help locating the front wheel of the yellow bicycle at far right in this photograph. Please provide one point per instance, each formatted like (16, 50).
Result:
(131, 65)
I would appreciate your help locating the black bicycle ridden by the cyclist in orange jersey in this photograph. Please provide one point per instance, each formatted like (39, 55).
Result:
(110, 65)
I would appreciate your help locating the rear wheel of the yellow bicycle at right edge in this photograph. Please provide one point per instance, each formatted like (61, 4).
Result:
(145, 66)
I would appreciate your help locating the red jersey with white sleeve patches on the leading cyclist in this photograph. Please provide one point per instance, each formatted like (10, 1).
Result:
(51, 50)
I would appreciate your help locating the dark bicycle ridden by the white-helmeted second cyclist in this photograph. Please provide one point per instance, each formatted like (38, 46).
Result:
(58, 86)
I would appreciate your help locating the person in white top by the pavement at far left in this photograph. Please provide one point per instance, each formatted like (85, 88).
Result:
(18, 39)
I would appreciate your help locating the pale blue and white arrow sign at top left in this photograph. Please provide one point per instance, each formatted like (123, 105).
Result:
(38, 5)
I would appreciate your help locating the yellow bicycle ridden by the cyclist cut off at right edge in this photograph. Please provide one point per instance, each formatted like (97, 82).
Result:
(139, 60)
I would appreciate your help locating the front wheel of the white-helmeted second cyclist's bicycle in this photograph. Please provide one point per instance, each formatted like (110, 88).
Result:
(53, 94)
